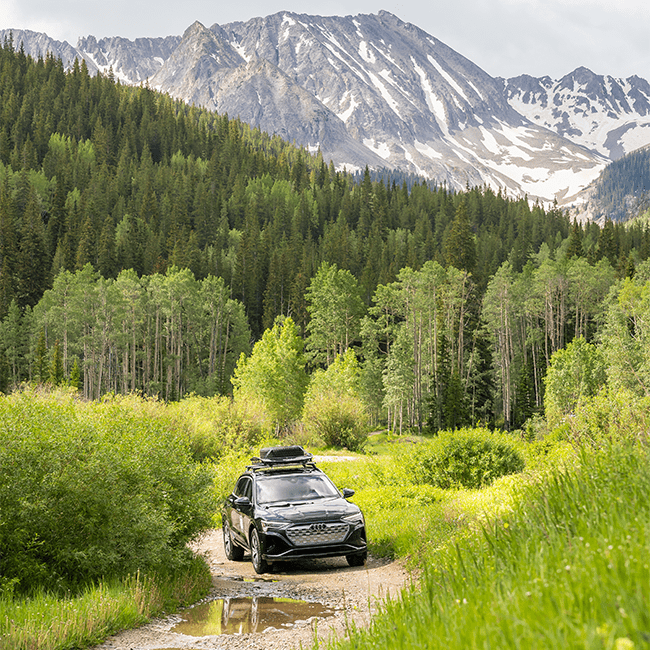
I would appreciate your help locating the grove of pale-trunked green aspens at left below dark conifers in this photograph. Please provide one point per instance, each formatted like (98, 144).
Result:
(165, 335)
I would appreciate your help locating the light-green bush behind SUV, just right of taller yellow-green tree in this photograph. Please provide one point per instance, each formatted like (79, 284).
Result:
(333, 411)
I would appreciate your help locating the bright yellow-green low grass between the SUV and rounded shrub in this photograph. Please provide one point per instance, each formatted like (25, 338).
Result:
(405, 519)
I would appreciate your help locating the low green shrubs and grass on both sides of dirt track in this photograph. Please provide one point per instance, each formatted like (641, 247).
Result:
(517, 543)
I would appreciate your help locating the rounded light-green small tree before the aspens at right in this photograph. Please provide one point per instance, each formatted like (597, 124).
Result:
(576, 372)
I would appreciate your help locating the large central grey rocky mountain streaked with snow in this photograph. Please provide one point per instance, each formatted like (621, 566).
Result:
(410, 101)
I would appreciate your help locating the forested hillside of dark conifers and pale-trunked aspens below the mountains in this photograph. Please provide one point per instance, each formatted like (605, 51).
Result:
(145, 244)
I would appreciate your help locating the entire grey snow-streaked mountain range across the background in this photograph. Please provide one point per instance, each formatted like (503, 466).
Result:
(374, 90)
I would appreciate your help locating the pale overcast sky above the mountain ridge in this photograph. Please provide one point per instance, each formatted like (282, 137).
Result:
(504, 37)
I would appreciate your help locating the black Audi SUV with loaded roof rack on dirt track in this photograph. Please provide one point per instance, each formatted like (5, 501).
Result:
(283, 508)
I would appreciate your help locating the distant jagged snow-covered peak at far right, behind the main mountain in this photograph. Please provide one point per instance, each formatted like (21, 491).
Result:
(602, 113)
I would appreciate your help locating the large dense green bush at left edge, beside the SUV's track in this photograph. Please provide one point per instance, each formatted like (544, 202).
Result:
(93, 490)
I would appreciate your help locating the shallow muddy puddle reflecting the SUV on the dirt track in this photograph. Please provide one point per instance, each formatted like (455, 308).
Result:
(246, 615)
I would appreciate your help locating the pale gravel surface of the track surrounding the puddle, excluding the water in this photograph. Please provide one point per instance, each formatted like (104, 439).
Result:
(353, 593)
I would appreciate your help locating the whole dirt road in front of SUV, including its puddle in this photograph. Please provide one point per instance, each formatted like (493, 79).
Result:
(261, 612)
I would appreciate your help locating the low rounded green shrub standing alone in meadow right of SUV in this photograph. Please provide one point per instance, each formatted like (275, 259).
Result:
(468, 458)
